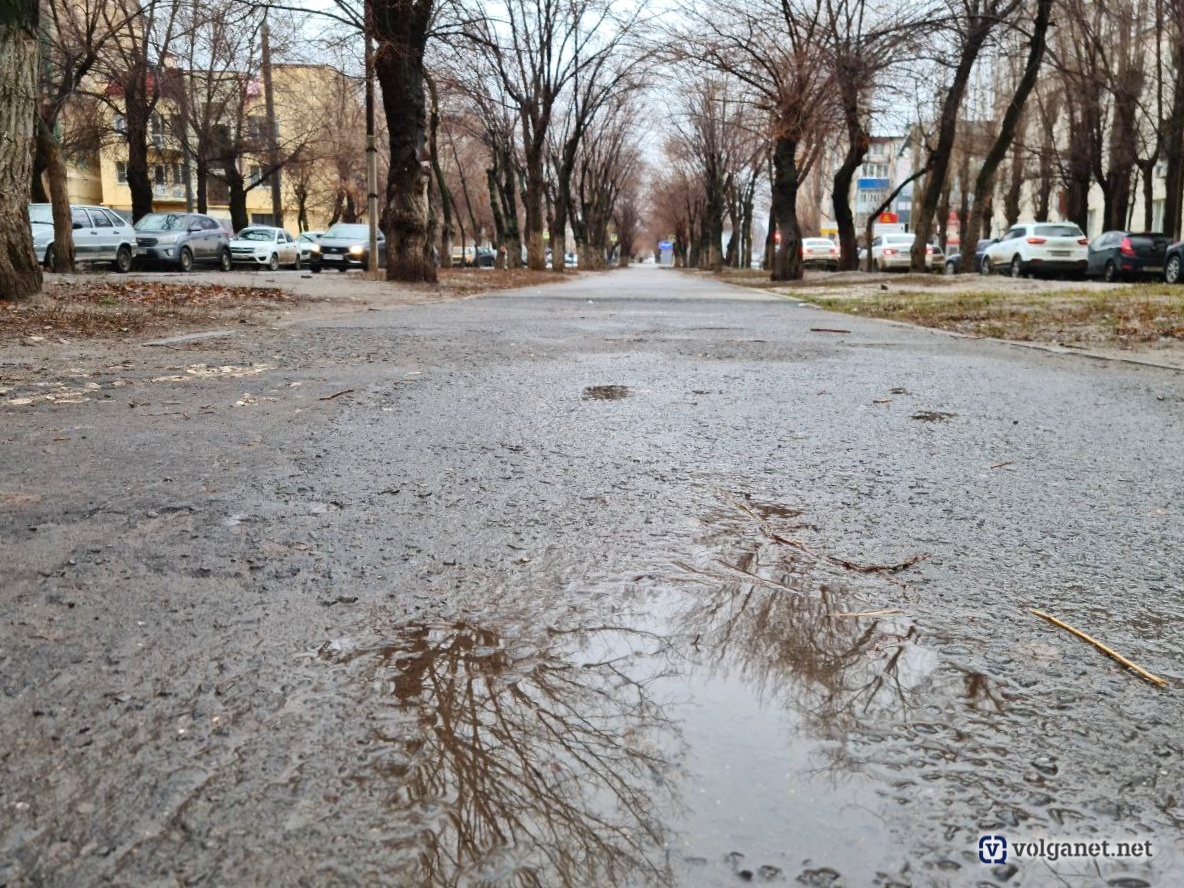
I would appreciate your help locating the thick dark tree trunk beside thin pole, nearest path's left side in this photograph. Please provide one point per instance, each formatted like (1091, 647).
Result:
(401, 28)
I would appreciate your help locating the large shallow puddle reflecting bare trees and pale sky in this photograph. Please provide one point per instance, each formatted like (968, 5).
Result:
(751, 716)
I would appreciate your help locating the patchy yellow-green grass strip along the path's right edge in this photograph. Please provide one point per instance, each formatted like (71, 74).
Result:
(1121, 318)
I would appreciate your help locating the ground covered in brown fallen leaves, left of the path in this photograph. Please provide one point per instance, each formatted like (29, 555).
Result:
(128, 310)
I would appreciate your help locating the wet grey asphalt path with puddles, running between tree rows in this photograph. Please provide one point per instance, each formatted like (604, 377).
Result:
(562, 588)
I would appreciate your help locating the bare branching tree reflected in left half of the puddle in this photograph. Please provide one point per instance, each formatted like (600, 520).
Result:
(536, 760)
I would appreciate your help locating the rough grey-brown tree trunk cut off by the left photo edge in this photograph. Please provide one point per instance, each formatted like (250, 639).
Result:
(20, 273)
